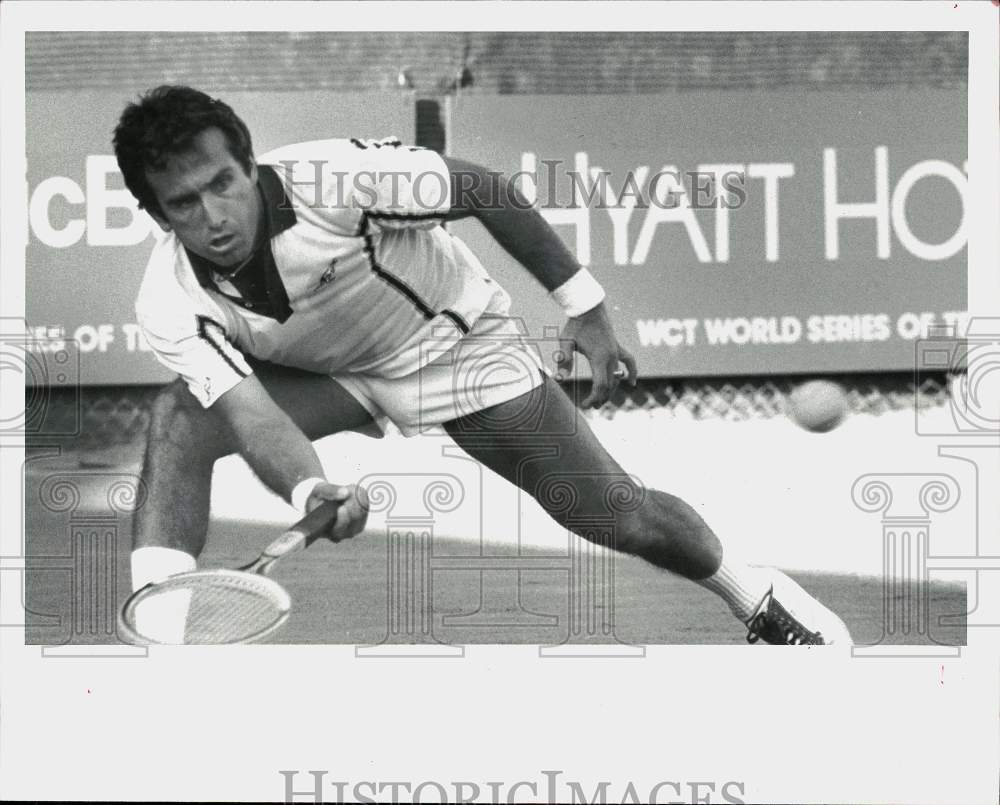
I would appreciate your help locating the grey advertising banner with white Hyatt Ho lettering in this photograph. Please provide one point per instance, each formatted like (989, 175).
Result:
(741, 233)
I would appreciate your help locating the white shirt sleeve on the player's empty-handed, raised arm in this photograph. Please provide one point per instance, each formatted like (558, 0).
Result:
(400, 186)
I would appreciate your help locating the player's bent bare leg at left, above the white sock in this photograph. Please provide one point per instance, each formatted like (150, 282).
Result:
(185, 440)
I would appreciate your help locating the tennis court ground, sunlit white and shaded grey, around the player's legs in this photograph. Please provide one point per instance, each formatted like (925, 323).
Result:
(490, 568)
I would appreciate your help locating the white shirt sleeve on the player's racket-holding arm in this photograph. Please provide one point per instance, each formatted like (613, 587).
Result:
(189, 337)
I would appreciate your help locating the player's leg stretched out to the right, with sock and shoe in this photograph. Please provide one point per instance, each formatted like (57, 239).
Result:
(534, 452)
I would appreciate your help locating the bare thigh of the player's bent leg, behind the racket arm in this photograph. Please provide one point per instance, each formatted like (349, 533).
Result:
(319, 405)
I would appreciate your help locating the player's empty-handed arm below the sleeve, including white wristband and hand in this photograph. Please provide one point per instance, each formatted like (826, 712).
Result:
(527, 237)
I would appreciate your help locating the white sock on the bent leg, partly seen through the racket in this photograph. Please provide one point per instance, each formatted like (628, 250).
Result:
(161, 617)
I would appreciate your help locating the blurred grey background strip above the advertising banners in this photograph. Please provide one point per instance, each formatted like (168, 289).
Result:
(500, 63)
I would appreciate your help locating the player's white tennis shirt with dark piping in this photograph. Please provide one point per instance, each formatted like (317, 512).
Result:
(357, 275)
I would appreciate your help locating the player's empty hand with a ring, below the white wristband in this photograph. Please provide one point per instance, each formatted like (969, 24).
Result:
(593, 336)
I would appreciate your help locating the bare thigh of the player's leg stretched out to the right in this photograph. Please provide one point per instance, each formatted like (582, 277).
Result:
(541, 443)
